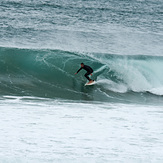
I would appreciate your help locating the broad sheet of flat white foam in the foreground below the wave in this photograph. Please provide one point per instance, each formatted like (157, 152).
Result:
(79, 132)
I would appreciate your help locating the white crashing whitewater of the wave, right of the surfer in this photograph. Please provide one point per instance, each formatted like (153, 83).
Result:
(138, 75)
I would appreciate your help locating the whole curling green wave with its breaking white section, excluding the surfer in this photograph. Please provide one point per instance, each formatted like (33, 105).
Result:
(50, 73)
